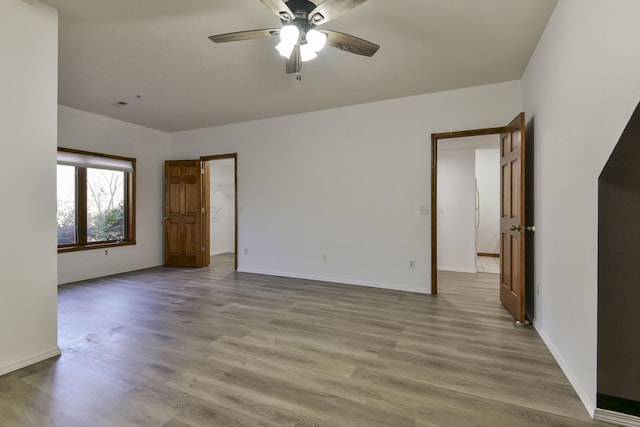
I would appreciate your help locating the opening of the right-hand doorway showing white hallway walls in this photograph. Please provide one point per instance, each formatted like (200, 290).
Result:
(469, 204)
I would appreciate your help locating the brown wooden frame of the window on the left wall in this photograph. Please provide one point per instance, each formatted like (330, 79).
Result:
(129, 186)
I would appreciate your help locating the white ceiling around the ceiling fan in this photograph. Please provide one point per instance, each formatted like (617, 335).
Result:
(115, 50)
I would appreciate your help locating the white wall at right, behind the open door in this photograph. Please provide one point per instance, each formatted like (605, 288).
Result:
(581, 85)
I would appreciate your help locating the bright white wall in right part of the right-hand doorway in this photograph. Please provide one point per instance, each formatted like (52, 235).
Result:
(488, 176)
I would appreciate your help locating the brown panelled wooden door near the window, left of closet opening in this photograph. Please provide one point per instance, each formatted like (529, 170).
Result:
(185, 213)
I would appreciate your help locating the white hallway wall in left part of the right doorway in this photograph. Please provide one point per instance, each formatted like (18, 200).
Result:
(456, 210)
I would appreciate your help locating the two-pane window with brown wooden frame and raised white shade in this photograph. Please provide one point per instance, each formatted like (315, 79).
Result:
(95, 200)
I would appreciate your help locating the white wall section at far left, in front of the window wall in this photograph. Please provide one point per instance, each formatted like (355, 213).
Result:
(29, 87)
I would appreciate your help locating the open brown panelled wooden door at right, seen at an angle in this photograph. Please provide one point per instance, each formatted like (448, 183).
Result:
(512, 218)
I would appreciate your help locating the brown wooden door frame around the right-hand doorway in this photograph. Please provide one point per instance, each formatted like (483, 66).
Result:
(435, 138)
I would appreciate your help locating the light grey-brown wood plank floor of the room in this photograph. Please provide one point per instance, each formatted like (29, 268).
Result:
(212, 347)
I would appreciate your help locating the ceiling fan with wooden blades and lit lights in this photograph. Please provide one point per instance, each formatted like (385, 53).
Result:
(299, 39)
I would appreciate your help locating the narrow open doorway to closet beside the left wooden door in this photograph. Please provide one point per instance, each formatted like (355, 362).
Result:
(223, 217)
